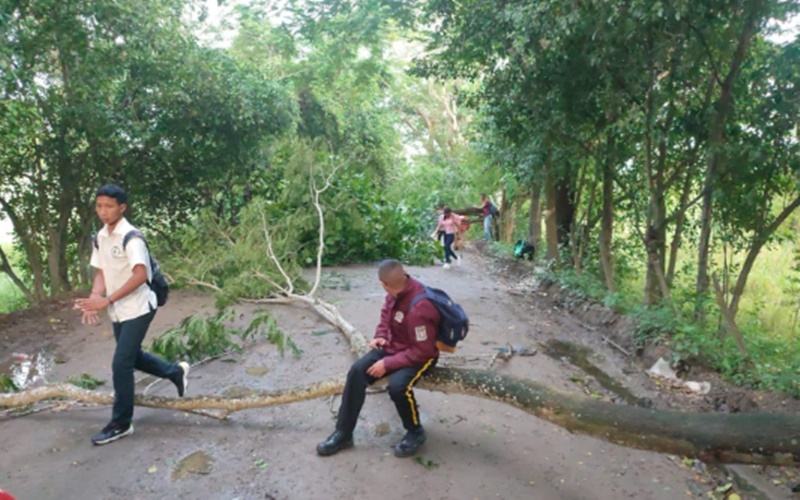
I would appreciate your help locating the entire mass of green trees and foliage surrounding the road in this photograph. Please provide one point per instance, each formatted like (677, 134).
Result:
(646, 148)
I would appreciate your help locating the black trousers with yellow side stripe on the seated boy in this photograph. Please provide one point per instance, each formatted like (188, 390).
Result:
(401, 383)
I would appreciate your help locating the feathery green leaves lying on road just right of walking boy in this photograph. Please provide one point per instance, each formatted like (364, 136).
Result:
(198, 337)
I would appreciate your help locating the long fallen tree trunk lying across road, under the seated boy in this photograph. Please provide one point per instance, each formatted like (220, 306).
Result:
(753, 438)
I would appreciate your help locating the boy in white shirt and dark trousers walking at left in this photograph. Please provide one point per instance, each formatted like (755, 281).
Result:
(121, 286)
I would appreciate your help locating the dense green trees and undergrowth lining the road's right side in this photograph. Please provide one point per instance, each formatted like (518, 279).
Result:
(661, 141)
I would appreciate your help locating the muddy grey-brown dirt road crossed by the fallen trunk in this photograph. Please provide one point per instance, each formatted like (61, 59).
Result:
(475, 448)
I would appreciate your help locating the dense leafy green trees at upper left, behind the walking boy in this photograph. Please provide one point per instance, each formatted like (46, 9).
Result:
(93, 92)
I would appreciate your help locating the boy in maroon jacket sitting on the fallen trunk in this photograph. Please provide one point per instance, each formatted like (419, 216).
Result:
(404, 348)
